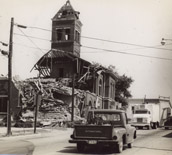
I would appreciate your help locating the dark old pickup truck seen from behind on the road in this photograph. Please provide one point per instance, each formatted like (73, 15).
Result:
(104, 127)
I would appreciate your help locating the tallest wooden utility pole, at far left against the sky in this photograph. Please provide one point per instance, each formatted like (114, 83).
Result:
(10, 78)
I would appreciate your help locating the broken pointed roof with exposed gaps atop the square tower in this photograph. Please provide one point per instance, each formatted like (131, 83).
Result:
(66, 11)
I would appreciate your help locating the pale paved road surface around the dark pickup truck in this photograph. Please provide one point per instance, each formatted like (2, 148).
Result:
(148, 142)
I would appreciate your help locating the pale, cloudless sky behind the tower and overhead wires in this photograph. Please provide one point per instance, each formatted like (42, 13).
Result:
(129, 26)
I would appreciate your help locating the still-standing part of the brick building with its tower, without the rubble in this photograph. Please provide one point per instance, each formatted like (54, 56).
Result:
(63, 61)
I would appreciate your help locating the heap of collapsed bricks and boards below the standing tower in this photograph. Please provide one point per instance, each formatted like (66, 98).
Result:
(51, 108)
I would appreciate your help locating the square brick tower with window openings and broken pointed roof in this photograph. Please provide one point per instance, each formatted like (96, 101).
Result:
(66, 30)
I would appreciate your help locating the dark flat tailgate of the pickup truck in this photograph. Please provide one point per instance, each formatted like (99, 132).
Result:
(96, 132)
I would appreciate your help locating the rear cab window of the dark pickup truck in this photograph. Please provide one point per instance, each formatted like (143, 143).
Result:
(104, 118)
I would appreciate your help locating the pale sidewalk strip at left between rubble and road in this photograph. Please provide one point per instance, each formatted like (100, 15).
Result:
(26, 131)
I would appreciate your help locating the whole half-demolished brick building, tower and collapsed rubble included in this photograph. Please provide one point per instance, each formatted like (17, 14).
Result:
(61, 68)
